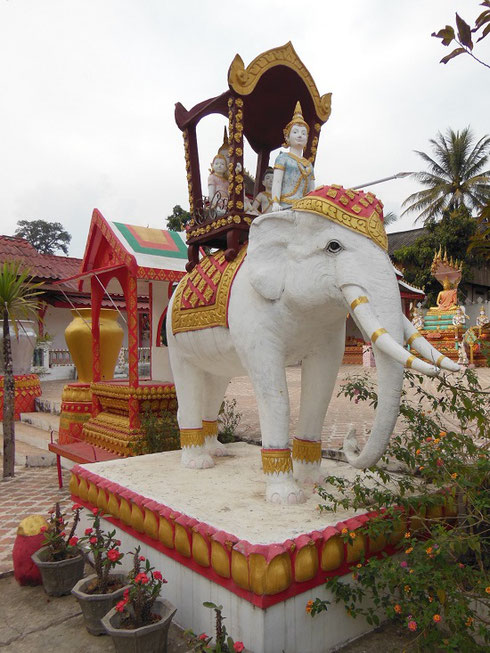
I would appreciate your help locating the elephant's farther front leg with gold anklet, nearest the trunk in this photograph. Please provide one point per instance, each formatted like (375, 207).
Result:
(318, 376)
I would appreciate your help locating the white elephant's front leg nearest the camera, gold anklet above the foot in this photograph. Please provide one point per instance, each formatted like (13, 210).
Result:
(269, 381)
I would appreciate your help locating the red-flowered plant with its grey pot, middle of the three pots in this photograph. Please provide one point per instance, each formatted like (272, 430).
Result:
(99, 592)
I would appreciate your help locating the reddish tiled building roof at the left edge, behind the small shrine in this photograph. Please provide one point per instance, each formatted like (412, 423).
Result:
(41, 266)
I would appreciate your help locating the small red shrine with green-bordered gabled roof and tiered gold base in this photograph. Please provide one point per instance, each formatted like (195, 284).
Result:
(133, 261)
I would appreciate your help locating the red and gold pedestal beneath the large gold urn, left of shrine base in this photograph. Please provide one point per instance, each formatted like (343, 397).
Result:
(76, 409)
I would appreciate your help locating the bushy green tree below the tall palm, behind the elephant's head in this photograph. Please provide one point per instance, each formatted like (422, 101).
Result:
(453, 233)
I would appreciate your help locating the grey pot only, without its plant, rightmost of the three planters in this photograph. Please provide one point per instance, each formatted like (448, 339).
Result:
(147, 639)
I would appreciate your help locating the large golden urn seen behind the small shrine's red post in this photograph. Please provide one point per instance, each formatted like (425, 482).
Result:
(78, 336)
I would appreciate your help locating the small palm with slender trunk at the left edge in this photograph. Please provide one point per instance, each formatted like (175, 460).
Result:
(17, 301)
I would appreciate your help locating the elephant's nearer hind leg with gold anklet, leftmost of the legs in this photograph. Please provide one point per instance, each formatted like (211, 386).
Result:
(189, 381)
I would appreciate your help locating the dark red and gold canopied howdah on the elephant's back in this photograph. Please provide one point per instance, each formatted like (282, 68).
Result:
(259, 102)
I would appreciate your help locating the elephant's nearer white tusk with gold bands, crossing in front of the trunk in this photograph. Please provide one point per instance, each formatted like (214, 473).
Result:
(380, 338)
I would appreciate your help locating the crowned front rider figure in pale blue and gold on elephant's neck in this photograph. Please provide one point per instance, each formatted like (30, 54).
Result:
(293, 174)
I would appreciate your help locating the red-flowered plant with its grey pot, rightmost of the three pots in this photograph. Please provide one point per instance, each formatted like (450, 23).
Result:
(139, 623)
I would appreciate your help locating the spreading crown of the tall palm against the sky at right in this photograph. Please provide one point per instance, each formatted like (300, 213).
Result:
(455, 175)
